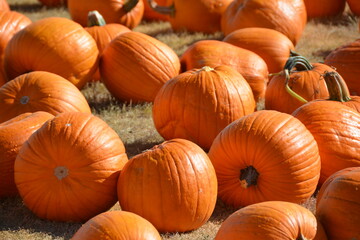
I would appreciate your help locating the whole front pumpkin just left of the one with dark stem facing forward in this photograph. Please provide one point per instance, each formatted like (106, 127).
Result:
(179, 181)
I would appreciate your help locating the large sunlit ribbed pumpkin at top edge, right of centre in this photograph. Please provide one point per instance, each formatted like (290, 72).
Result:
(286, 16)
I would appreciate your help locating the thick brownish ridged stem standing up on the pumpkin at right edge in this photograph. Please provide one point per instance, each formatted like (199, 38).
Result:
(337, 87)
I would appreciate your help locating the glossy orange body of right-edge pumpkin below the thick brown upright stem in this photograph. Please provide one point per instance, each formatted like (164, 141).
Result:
(334, 134)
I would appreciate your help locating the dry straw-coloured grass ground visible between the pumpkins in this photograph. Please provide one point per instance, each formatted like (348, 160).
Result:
(134, 124)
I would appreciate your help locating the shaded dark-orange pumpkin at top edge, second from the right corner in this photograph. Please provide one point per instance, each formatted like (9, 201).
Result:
(324, 8)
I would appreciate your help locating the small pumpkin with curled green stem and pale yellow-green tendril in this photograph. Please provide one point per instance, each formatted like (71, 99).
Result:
(298, 76)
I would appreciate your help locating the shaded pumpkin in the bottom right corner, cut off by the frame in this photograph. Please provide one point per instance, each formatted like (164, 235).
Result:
(338, 204)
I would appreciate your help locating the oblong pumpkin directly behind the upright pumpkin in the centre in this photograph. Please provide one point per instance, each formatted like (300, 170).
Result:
(213, 53)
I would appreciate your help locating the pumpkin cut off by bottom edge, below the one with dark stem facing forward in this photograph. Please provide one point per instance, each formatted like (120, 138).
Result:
(272, 220)
